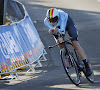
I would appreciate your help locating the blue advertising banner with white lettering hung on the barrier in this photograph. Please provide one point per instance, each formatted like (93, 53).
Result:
(19, 41)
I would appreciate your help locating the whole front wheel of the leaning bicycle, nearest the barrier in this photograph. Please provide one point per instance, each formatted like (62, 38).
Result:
(70, 67)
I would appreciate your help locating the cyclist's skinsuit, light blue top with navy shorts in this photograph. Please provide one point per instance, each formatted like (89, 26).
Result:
(65, 23)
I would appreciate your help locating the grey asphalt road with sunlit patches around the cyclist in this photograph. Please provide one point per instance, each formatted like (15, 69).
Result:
(86, 15)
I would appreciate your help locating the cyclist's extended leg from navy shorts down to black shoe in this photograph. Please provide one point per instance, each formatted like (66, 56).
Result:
(72, 31)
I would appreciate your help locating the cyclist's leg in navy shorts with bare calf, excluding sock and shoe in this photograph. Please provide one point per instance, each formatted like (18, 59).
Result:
(73, 33)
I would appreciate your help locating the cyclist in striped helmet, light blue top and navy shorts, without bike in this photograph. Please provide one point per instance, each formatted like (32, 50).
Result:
(59, 21)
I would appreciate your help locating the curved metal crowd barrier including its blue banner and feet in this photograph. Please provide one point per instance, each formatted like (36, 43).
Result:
(20, 44)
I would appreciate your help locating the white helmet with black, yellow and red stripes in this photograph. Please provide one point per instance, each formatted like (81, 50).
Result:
(52, 13)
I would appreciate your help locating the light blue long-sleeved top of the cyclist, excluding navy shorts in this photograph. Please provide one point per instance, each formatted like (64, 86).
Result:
(62, 21)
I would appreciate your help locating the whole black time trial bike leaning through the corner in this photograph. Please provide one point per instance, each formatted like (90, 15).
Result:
(72, 64)
